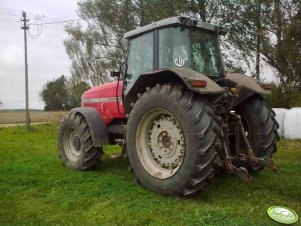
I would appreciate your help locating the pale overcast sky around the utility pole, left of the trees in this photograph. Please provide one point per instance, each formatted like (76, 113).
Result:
(47, 58)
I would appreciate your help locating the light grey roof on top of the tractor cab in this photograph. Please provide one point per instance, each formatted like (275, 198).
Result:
(179, 20)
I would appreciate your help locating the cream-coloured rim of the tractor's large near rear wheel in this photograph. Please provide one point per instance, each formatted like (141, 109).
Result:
(160, 143)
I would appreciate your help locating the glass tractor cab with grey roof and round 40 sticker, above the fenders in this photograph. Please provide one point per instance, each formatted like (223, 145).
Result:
(177, 42)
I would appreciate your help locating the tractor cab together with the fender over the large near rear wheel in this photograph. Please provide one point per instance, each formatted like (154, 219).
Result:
(177, 49)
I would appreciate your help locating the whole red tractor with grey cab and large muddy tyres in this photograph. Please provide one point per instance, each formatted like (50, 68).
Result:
(176, 113)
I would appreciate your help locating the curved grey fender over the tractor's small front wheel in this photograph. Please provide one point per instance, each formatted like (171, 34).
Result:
(98, 128)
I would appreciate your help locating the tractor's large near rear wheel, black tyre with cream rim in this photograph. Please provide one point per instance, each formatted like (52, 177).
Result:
(171, 142)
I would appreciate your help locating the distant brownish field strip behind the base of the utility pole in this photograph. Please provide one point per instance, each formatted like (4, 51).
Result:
(9, 117)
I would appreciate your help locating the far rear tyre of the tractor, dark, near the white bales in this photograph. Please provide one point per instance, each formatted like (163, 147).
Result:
(260, 123)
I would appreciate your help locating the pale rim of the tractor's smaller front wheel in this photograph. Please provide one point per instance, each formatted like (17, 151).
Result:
(72, 144)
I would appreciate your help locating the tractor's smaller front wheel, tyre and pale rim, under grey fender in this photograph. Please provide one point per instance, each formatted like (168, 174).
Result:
(75, 143)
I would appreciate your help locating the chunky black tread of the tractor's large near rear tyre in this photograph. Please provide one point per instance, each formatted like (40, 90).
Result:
(198, 111)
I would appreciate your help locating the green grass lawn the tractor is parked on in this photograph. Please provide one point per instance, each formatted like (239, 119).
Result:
(36, 189)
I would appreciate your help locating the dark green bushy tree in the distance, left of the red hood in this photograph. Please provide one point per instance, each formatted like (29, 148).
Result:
(55, 94)
